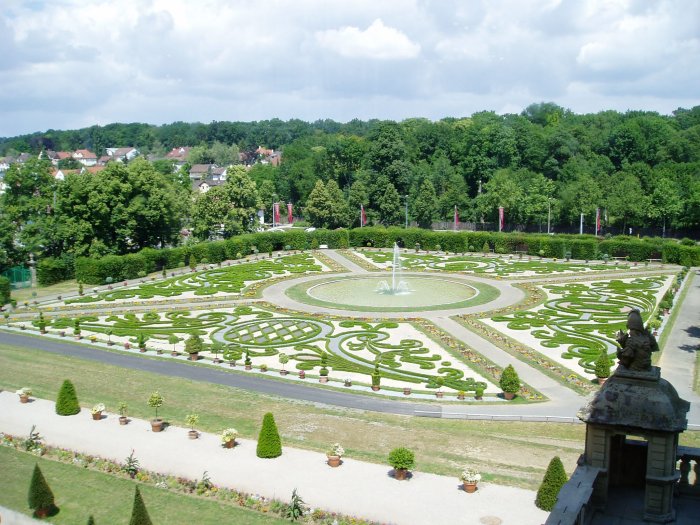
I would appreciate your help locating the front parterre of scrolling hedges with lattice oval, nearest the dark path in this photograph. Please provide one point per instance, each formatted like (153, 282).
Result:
(344, 346)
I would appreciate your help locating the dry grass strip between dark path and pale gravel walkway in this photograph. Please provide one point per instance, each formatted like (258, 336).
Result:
(510, 453)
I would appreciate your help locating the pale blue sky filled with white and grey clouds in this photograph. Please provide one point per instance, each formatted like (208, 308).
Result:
(74, 63)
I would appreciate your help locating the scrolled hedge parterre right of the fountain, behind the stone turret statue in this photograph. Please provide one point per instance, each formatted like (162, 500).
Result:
(584, 318)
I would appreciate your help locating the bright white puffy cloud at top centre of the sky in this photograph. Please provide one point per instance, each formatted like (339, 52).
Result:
(376, 42)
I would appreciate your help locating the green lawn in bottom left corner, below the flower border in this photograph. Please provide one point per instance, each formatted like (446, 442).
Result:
(80, 492)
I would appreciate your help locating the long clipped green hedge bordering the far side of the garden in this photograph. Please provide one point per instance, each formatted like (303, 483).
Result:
(114, 268)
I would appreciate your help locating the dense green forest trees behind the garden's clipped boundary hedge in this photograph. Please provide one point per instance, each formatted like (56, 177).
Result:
(641, 169)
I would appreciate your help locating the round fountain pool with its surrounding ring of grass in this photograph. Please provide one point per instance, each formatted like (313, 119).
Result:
(421, 292)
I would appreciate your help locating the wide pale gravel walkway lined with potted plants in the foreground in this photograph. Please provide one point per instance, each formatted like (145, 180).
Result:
(356, 488)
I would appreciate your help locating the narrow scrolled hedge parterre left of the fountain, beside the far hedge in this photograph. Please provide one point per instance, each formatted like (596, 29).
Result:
(226, 279)
